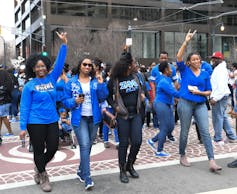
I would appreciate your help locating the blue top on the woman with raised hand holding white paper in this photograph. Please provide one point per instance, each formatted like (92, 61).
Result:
(202, 82)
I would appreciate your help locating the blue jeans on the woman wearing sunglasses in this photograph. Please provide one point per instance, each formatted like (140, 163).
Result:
(85, 134)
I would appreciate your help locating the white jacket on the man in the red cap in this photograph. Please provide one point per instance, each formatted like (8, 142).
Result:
(219, 82)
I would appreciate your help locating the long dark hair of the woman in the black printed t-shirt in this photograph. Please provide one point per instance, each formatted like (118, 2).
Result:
(121, 67)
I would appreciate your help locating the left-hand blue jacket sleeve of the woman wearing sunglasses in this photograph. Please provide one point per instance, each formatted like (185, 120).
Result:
(68, 99)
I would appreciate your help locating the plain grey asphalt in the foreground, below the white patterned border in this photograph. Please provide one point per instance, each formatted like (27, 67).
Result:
(173, 179)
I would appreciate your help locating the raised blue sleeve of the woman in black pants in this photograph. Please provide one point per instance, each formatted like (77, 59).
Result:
(59, 63)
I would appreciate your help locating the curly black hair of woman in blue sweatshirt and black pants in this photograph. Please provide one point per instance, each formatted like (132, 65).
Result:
(32, 61)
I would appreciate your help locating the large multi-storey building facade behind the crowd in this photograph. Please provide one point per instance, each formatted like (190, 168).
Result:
(153, 25)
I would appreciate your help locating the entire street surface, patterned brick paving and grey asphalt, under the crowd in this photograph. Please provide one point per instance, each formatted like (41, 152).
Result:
(157, 175)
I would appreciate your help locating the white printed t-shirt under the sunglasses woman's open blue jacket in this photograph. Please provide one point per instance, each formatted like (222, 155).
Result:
(86, 105)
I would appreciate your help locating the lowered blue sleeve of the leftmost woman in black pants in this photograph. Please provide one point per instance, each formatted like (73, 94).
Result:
(25, 106)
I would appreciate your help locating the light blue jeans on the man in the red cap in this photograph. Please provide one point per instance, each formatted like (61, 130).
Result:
(220, 120)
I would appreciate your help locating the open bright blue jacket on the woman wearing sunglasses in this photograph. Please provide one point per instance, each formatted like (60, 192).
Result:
(99, 92)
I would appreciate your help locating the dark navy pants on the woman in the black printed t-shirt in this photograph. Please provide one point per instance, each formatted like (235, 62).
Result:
(129, 130)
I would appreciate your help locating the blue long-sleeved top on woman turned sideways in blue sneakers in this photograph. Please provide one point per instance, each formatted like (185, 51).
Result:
(166, 91)
